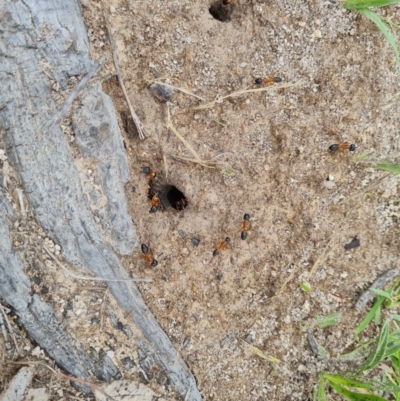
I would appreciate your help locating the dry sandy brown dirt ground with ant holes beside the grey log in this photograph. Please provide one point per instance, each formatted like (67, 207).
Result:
(272, 146)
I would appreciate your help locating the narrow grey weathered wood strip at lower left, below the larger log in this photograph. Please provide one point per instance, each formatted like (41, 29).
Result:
(38, 318)
